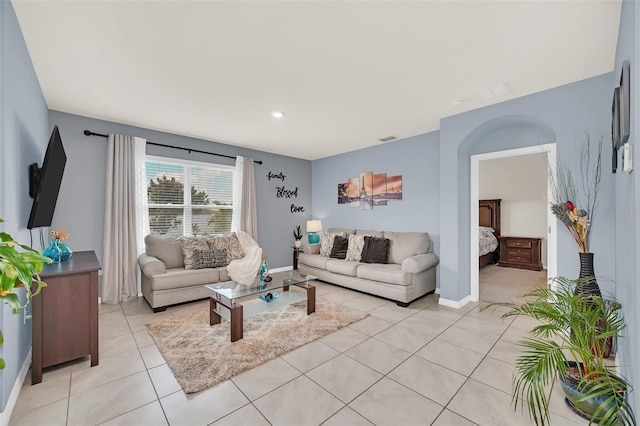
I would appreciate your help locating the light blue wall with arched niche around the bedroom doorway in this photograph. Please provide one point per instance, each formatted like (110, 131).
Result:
(560, 115)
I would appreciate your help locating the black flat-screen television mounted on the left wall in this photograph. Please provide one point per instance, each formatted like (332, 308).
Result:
(44, 182)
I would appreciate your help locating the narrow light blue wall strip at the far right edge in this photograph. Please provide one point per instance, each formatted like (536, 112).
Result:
(627, 203)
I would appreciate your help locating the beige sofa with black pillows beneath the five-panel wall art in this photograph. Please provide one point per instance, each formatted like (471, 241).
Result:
(408, 273)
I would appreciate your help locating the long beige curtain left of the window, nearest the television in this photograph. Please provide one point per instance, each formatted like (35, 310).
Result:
(124, 222)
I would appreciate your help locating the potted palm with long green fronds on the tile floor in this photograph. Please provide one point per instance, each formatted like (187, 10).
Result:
(570, 343)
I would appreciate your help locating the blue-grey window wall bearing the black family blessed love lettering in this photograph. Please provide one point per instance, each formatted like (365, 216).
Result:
(81, 201)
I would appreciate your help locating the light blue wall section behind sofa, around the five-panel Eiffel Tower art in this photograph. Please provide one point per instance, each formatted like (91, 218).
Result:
(416, 159)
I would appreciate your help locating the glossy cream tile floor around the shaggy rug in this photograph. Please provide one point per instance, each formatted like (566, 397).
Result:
(426, 364)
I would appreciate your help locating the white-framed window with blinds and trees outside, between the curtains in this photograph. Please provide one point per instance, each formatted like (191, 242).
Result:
(205, 209)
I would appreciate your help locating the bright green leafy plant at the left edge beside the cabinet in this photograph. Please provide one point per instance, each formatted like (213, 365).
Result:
(18, 269)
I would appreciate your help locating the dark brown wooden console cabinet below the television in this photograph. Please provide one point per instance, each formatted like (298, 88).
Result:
(65, 313)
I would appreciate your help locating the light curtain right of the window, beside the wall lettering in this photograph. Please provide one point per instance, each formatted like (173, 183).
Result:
(244, 198)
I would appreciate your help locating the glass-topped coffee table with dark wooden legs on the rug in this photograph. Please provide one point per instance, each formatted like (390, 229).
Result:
(225, 299)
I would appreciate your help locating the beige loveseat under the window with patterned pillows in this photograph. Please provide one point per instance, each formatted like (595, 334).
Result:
(176, 269)
